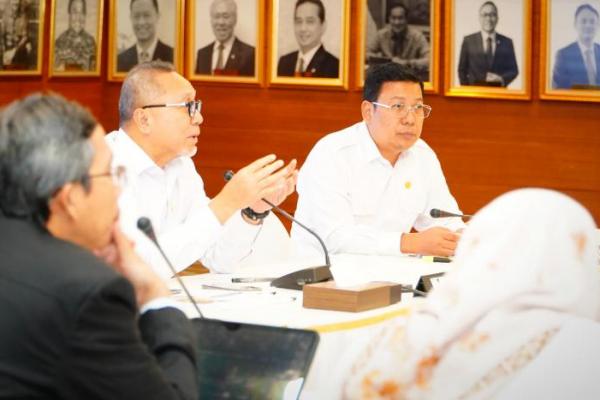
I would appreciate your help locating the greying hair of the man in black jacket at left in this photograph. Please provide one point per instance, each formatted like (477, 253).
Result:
(44, 144)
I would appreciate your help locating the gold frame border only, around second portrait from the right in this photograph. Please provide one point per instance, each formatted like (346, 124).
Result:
(483, 91)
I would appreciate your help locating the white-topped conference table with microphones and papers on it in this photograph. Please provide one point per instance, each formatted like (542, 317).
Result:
(343, 335)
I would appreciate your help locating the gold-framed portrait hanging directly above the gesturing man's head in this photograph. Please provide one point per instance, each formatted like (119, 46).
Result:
(144, 30)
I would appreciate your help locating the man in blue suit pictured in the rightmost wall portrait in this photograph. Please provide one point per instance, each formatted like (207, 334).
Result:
(578, 64)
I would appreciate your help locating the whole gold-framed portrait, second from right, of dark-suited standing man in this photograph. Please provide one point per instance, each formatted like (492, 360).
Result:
(488, 49)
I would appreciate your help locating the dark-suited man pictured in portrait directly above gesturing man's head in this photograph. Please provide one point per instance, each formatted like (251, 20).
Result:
(144, 16)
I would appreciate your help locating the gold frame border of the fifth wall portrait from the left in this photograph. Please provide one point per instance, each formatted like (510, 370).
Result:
(341, 82)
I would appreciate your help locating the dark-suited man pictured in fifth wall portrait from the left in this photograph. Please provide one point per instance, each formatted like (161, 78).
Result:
(311, 60)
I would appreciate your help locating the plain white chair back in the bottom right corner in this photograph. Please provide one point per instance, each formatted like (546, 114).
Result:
(567, 368)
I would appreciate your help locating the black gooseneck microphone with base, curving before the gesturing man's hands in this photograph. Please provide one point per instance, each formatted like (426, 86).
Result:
(296, 280)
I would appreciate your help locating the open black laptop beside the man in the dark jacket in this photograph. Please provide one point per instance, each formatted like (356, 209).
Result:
(246, 361)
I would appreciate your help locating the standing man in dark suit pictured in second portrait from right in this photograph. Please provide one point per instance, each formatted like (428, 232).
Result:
(487, 58)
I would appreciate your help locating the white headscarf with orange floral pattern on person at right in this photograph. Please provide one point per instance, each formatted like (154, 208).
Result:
(524, 266)
